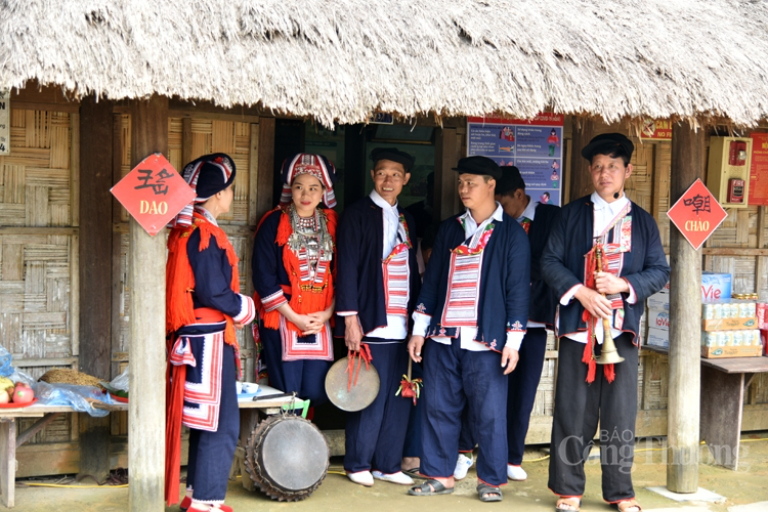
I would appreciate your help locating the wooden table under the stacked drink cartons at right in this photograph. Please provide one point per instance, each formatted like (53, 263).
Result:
(723, 384)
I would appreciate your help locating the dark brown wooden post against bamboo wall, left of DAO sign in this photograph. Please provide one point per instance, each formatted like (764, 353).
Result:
(95, 272)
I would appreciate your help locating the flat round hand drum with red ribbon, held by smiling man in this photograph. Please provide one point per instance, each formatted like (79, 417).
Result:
(361, 395)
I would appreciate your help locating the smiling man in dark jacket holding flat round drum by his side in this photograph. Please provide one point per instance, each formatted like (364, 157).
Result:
(376, 288)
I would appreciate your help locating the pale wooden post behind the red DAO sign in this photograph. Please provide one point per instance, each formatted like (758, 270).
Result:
(146, 277)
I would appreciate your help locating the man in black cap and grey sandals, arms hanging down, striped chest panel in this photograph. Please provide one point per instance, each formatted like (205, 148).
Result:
(473, 308)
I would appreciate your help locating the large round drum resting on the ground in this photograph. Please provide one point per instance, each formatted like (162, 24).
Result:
(287, 457)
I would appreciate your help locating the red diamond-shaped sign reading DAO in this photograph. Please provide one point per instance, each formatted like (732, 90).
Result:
(153, 193)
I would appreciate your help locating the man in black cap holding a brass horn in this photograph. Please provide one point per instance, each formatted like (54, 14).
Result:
(603, 259)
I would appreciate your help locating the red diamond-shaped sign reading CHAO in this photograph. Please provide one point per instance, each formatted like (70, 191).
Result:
(697, 214)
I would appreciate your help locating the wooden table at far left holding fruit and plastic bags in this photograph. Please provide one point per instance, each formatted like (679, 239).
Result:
(10, 441)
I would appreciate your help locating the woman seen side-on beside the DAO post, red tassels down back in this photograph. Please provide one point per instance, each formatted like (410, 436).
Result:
(203, 309)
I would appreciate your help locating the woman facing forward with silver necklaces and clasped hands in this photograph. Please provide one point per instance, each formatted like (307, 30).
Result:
(293, 263)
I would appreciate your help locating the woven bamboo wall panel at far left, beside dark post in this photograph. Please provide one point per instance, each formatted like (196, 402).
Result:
(39, 250)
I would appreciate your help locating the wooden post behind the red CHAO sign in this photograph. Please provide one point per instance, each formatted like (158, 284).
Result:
(688, 148)
